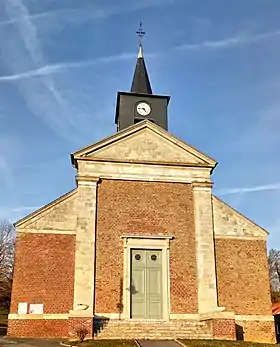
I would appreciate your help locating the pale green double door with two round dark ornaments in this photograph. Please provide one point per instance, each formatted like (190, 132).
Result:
(146, 284)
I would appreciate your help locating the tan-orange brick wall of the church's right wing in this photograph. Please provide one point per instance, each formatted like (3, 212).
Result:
(242, 276)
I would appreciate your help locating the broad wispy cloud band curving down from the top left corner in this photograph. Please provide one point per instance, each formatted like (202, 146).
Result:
(41, 94)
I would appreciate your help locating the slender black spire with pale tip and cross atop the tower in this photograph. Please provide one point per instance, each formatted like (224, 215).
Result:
(141, 82)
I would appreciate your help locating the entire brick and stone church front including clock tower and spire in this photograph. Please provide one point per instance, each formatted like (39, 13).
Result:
(141, 248)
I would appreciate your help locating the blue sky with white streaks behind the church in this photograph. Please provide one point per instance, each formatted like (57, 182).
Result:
(63, 62)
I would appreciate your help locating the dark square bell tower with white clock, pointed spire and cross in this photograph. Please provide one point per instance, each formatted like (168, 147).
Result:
(140, 103)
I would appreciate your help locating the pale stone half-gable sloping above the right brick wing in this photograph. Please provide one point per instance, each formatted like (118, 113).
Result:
(230, 223)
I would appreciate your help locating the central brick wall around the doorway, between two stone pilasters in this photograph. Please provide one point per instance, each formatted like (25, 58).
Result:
(146, 208)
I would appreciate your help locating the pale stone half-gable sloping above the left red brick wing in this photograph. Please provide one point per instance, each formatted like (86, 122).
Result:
(57, 215)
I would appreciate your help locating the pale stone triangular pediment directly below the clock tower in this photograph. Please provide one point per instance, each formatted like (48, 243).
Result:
(145, 142)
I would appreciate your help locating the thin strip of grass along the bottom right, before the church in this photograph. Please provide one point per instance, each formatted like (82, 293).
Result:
(222, 343)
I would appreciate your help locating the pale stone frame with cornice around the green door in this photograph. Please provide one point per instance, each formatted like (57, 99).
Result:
(146, 242)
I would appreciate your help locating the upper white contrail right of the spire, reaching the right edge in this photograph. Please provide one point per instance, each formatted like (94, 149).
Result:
(228, 42)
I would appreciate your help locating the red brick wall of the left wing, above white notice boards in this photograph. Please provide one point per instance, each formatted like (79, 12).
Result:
(44, 272)
